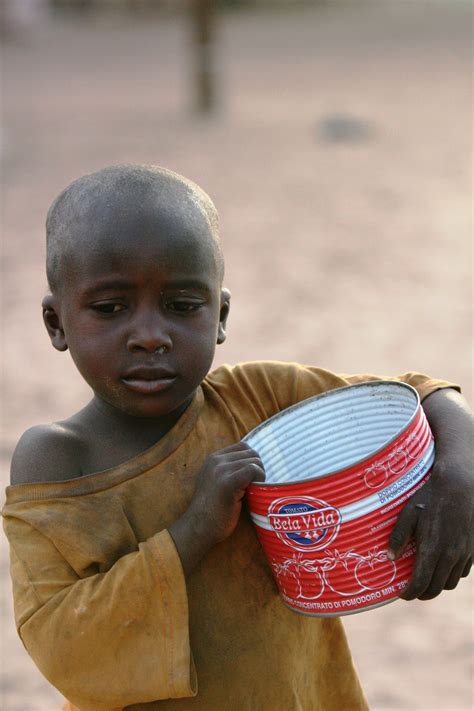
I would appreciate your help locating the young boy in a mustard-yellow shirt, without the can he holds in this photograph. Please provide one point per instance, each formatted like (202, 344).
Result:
(137, 573)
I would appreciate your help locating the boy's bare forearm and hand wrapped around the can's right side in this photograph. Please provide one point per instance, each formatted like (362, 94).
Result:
(440, 515)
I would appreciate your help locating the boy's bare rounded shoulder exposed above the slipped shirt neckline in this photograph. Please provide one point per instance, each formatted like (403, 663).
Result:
(47, 452)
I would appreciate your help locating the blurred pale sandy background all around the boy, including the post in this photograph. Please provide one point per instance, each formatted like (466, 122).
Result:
(334, 139)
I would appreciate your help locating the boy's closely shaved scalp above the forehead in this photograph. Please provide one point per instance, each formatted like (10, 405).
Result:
(103, 205)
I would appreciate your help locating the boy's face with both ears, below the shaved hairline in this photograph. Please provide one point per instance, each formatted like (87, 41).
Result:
(141, 309)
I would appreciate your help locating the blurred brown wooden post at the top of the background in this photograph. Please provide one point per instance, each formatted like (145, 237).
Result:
(203, 15)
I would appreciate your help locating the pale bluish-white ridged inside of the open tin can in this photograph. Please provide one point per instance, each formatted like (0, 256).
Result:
(333, 431)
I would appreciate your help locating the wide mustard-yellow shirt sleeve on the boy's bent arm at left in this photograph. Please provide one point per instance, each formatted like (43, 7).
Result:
(110, 639)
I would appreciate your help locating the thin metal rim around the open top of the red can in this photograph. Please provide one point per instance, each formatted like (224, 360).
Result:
(320, 396)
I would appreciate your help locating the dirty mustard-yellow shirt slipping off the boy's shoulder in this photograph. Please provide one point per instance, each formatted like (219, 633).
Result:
(101, 603)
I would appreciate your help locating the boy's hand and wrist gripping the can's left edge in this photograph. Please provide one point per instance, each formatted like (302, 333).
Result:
(215, 509)
